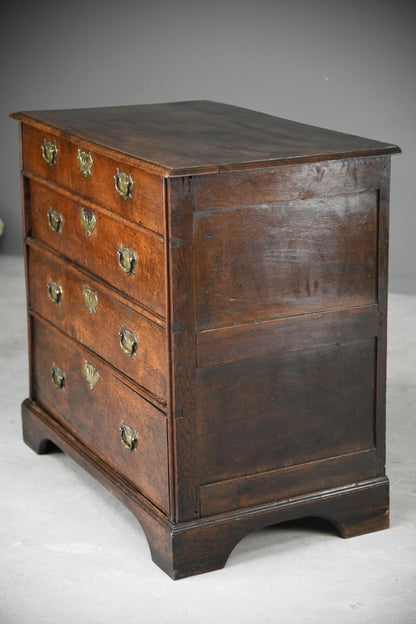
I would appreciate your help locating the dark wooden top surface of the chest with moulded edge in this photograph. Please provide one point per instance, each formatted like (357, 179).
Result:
(185, 138)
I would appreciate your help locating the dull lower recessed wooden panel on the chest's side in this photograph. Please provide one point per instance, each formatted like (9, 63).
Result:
(286, 410)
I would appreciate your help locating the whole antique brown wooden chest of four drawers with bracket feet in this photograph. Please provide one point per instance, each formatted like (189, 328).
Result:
(207, 294)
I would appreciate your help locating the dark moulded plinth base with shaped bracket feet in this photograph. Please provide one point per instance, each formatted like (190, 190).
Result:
(191, 548)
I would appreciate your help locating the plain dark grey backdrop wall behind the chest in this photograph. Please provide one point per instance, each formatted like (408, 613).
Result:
(346, 65)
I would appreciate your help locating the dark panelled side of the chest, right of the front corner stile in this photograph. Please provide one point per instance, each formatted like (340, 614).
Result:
(289, 268)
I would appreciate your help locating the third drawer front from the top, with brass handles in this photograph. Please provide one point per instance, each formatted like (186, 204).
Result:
(91, 314)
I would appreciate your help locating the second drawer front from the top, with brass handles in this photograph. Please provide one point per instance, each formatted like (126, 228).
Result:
(130, 260)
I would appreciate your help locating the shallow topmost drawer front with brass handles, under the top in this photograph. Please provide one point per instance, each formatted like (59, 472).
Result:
(131, 192)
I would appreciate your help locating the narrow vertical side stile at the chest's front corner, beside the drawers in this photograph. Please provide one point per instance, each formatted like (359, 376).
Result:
(183, 349)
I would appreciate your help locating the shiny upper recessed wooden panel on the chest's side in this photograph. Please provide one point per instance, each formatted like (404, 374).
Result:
(288, 258)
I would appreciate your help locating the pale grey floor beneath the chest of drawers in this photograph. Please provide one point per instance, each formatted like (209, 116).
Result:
(70, 552)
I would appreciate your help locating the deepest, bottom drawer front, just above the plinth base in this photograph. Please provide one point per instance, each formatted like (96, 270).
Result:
(97, 407)
